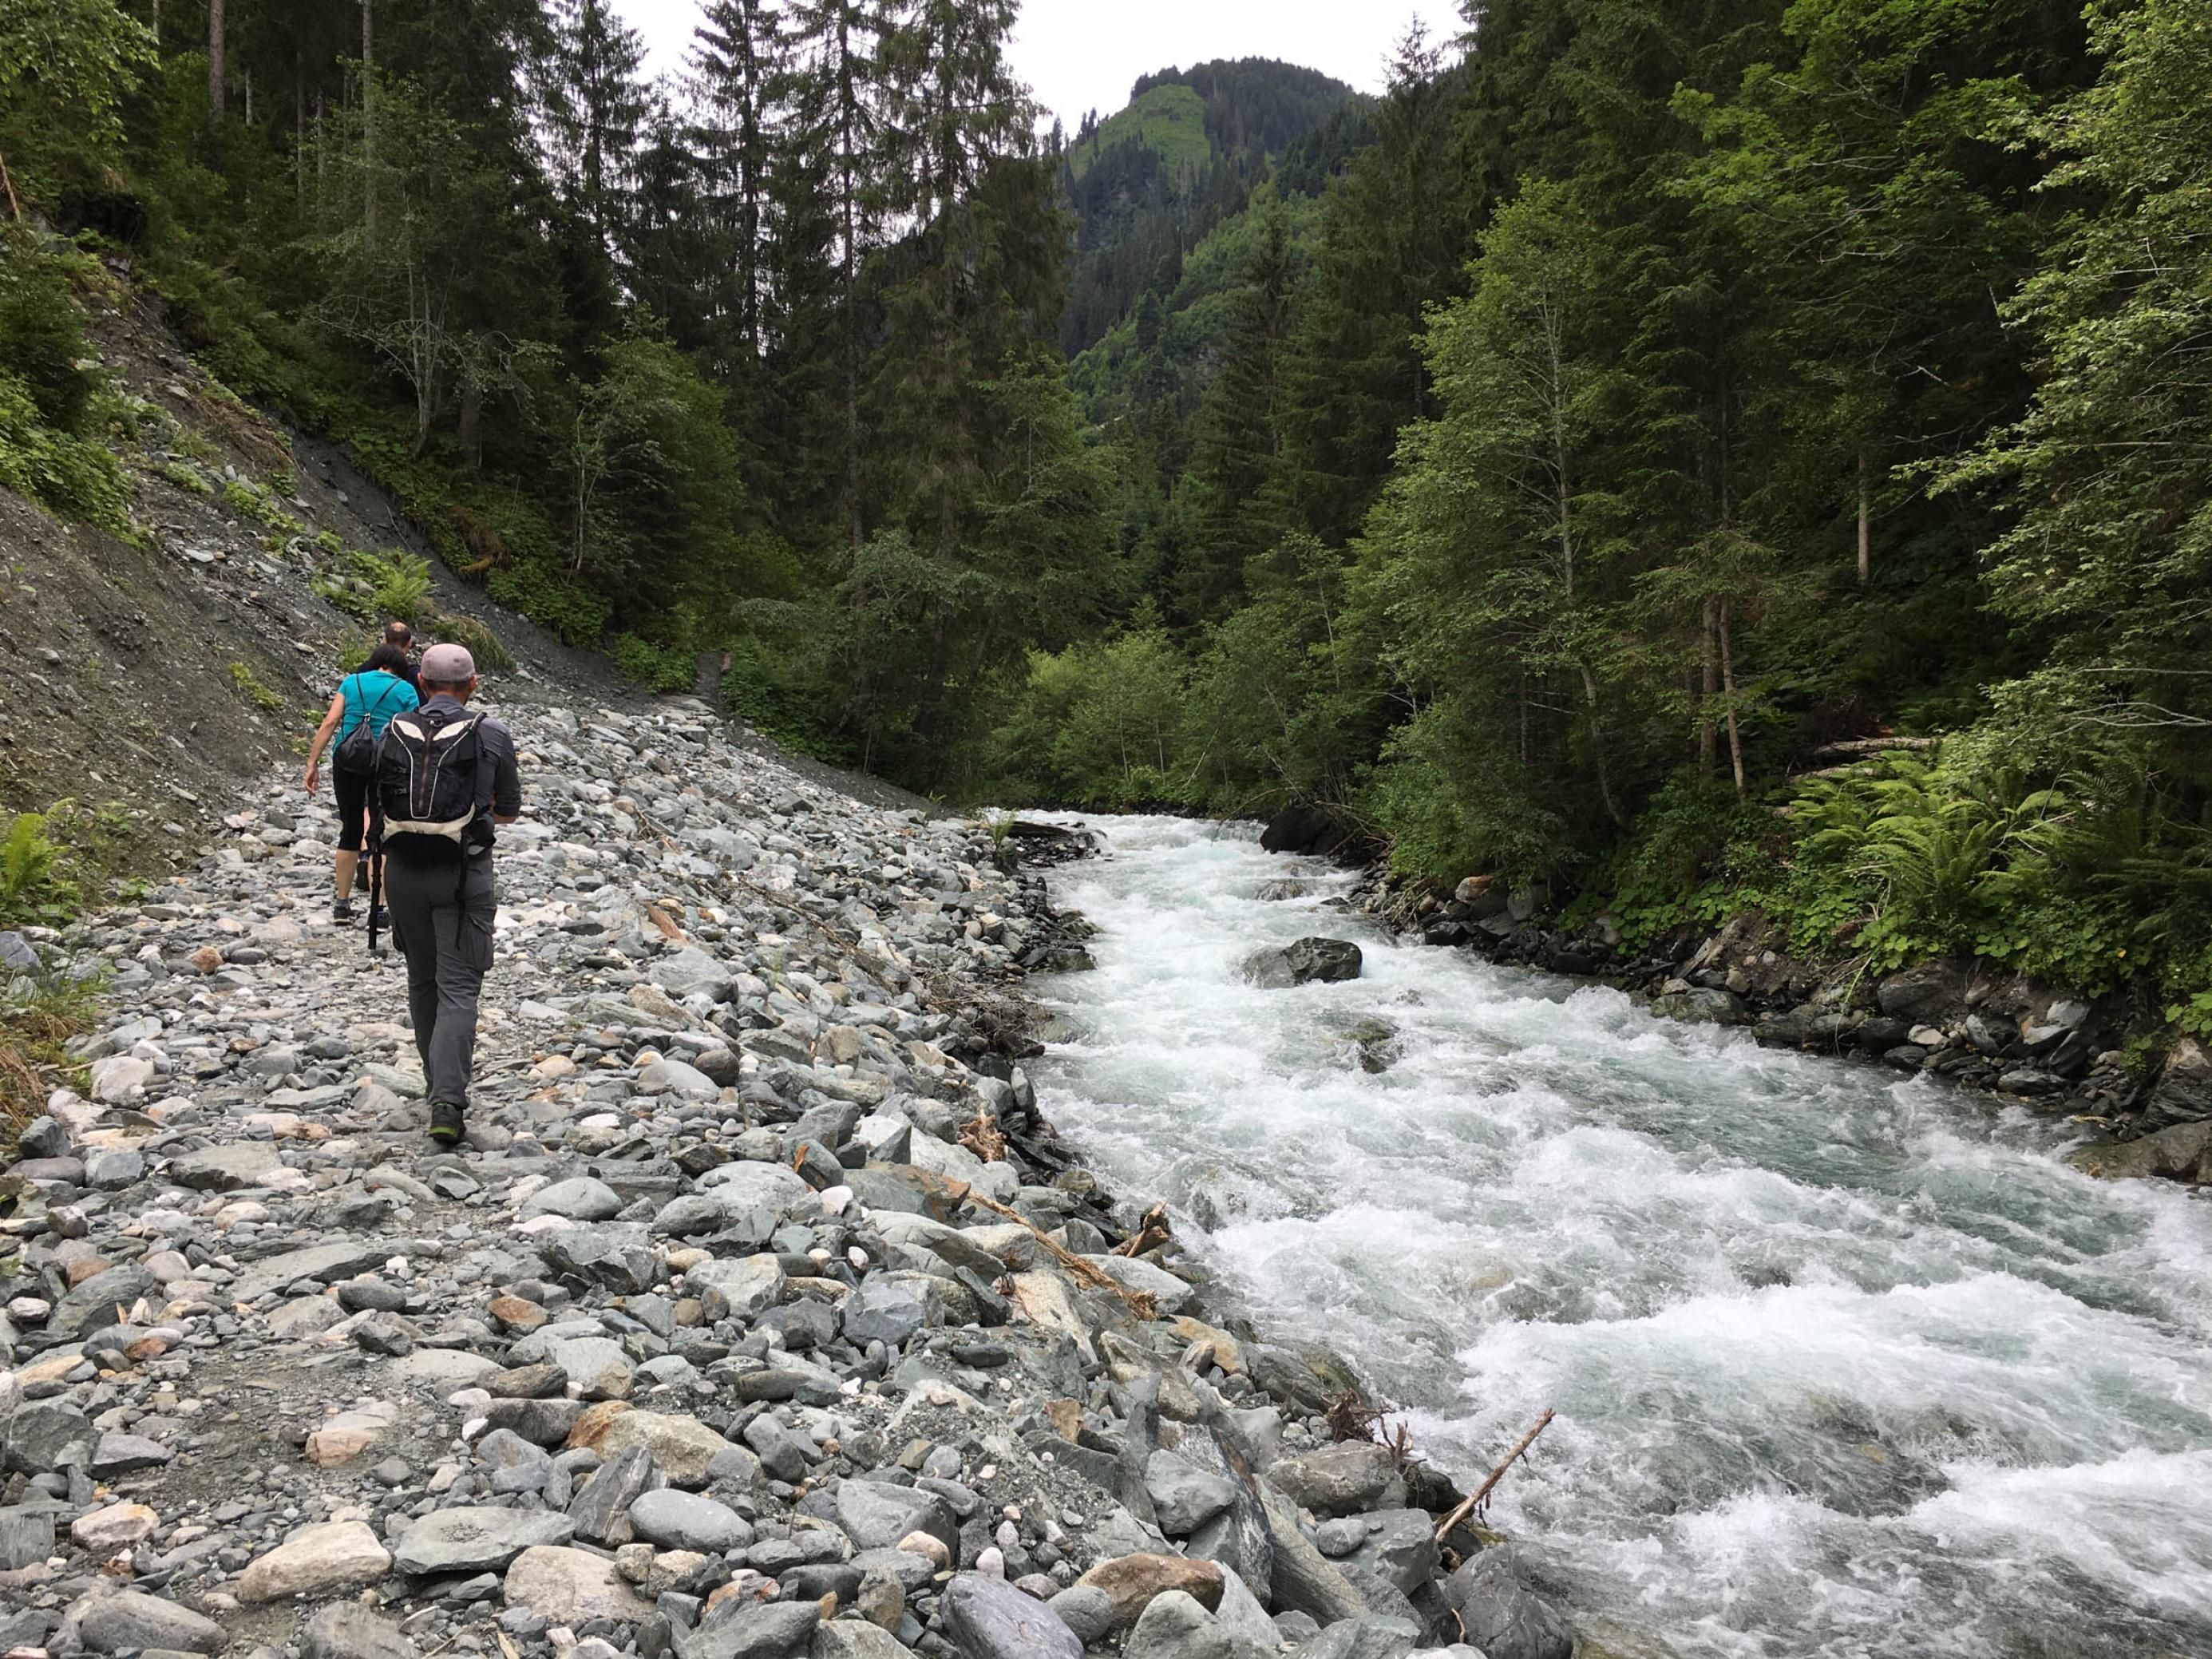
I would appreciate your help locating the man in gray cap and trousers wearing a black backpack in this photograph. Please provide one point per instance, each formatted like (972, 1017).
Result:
(446, 775)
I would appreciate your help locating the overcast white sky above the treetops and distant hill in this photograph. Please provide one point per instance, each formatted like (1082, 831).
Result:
(1085, 54)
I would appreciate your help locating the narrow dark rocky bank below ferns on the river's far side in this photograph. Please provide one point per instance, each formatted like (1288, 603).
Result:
(1959, 1021)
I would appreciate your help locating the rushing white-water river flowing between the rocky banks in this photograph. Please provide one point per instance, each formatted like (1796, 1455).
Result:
(1844, 1364)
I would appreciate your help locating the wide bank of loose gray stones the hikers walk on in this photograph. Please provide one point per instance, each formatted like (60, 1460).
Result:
(762, 1315)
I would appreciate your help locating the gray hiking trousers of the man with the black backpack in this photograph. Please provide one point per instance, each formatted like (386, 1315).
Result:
(441, 919)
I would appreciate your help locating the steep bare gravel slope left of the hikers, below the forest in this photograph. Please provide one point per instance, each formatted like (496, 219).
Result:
(149, 678)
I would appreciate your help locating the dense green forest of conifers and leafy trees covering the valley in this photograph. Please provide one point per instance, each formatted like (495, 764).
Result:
(1695, 457)
